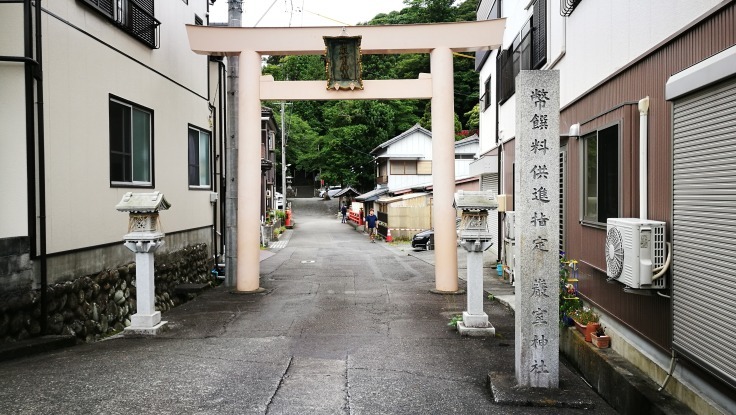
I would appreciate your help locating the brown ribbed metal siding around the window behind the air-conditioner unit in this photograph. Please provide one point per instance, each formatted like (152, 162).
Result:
(615, 101)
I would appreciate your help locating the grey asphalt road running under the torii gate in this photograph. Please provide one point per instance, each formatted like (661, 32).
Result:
(344, 327)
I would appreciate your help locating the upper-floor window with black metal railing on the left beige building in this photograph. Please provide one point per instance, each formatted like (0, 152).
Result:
(136, 17)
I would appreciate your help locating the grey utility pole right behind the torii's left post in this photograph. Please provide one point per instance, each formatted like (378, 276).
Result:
(235, 15)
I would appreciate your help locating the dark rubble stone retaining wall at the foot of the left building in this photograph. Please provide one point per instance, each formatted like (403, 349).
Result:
(94, 306)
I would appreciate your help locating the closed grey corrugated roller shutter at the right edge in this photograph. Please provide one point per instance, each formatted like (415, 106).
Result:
(704, 222)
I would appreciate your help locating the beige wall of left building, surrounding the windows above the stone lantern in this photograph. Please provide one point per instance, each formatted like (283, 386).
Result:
(80, 75)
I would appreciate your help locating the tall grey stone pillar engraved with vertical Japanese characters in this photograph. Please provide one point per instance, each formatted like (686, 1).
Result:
(537, 228)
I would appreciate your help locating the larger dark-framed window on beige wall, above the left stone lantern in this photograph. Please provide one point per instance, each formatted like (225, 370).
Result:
(131, 144)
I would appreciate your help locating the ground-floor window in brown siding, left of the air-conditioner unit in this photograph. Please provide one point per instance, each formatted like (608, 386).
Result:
(600, 175)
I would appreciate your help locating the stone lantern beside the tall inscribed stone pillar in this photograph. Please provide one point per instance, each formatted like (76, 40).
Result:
(475, 237)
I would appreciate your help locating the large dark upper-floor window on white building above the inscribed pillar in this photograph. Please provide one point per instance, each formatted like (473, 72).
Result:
(527, 51)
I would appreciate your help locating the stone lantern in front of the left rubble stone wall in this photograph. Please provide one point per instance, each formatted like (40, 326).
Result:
(144, 237)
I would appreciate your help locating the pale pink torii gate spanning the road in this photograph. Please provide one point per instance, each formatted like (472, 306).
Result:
(440, 40)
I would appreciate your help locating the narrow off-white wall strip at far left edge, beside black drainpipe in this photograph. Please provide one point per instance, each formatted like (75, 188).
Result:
(13, 178)
